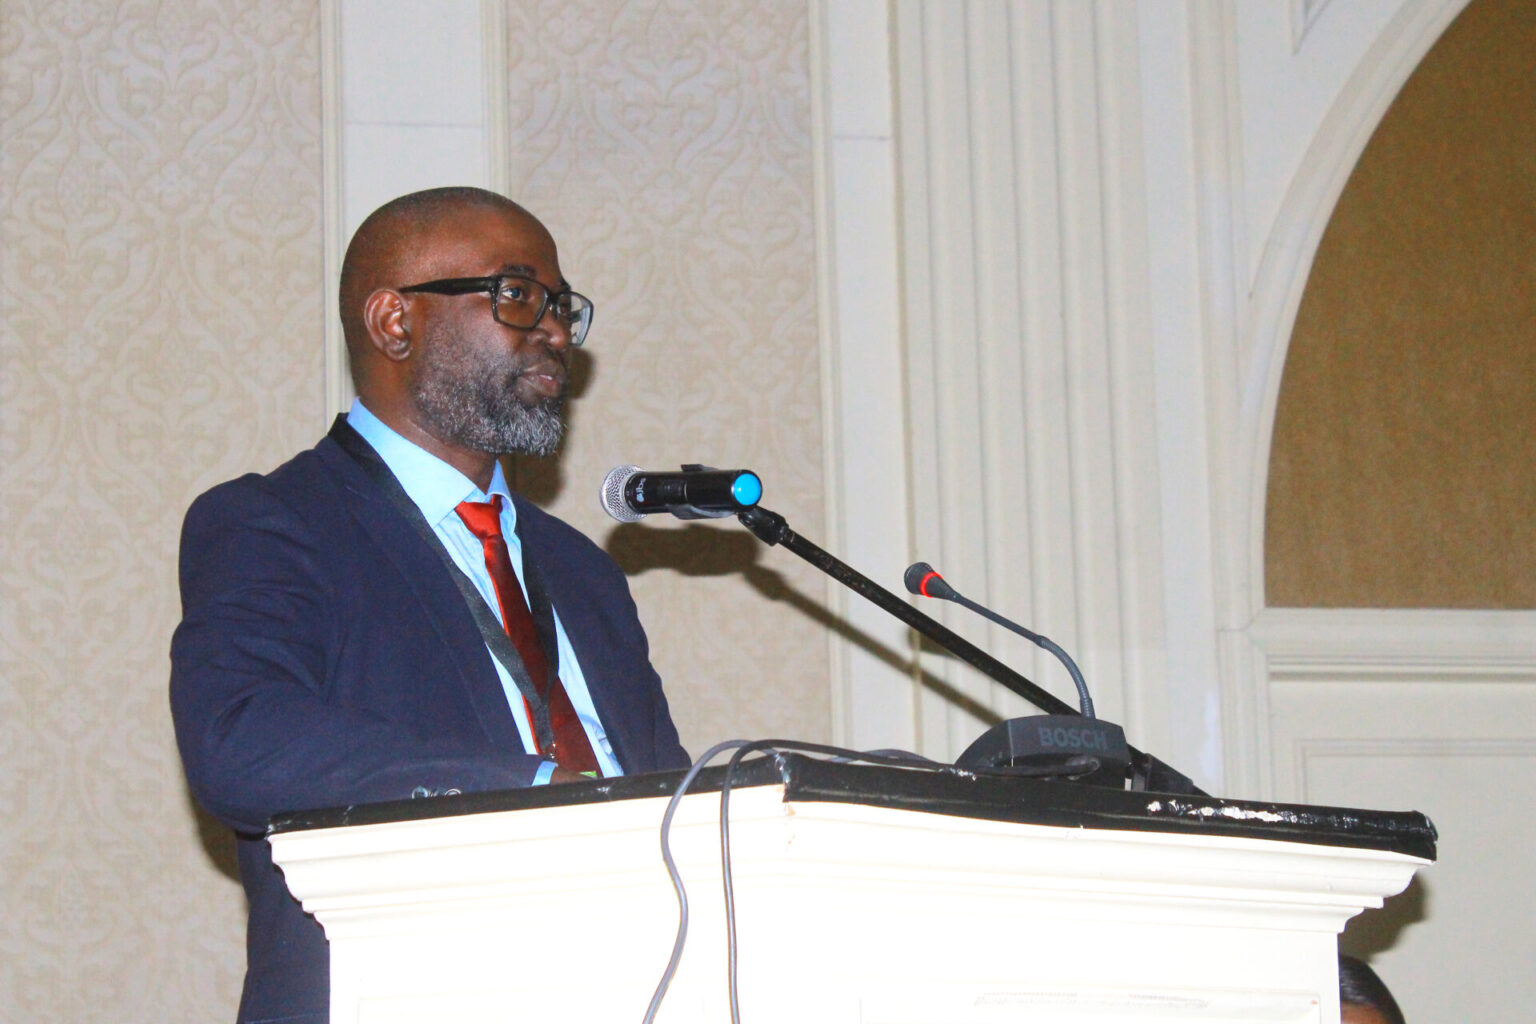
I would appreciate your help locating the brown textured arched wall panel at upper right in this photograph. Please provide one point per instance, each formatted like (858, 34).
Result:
(1403, 463)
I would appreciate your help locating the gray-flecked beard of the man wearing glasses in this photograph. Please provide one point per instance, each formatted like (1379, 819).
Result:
(475, 408)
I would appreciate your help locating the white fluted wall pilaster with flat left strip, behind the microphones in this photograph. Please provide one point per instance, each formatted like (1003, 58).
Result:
(1019, 349)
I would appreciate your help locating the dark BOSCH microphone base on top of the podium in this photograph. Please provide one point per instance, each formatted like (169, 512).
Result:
(1065, 748)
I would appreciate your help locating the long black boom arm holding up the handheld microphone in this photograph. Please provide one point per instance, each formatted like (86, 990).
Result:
(772, 529)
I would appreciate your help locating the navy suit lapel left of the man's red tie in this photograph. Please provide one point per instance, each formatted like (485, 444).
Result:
(437, 596)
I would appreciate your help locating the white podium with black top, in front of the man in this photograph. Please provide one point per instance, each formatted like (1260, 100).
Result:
(862, 896)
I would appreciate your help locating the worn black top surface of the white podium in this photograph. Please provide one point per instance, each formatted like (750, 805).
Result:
(948, 791)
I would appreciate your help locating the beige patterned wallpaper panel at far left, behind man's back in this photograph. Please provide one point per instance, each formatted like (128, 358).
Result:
(161, 300)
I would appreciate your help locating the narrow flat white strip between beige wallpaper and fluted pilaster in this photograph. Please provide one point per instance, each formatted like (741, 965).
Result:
(864, 414)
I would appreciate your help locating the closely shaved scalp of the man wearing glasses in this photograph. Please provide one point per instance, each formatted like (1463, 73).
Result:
(397, 243)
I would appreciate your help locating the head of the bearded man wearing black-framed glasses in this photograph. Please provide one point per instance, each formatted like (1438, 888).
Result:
(460, 325)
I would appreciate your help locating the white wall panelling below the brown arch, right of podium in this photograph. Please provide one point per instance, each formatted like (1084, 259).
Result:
(1428, 712)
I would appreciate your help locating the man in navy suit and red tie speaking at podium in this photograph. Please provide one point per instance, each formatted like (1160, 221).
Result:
(382, 618)
